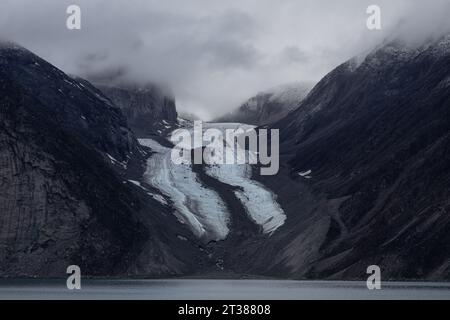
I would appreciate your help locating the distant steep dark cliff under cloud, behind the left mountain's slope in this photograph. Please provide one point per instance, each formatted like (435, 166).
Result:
(149, 109)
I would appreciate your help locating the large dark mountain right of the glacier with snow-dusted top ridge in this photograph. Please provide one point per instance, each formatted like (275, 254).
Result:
(365, 173)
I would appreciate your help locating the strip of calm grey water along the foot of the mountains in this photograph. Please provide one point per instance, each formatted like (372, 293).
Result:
(182, 289)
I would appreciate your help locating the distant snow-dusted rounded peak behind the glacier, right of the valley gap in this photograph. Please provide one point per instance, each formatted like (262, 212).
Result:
(269, 106)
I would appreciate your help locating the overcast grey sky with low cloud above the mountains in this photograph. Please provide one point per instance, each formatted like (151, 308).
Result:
(213, 53)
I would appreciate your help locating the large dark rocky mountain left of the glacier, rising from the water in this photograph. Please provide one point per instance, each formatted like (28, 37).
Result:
(66, 157)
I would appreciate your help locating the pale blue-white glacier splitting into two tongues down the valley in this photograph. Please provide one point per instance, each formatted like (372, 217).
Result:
(201, 208)
